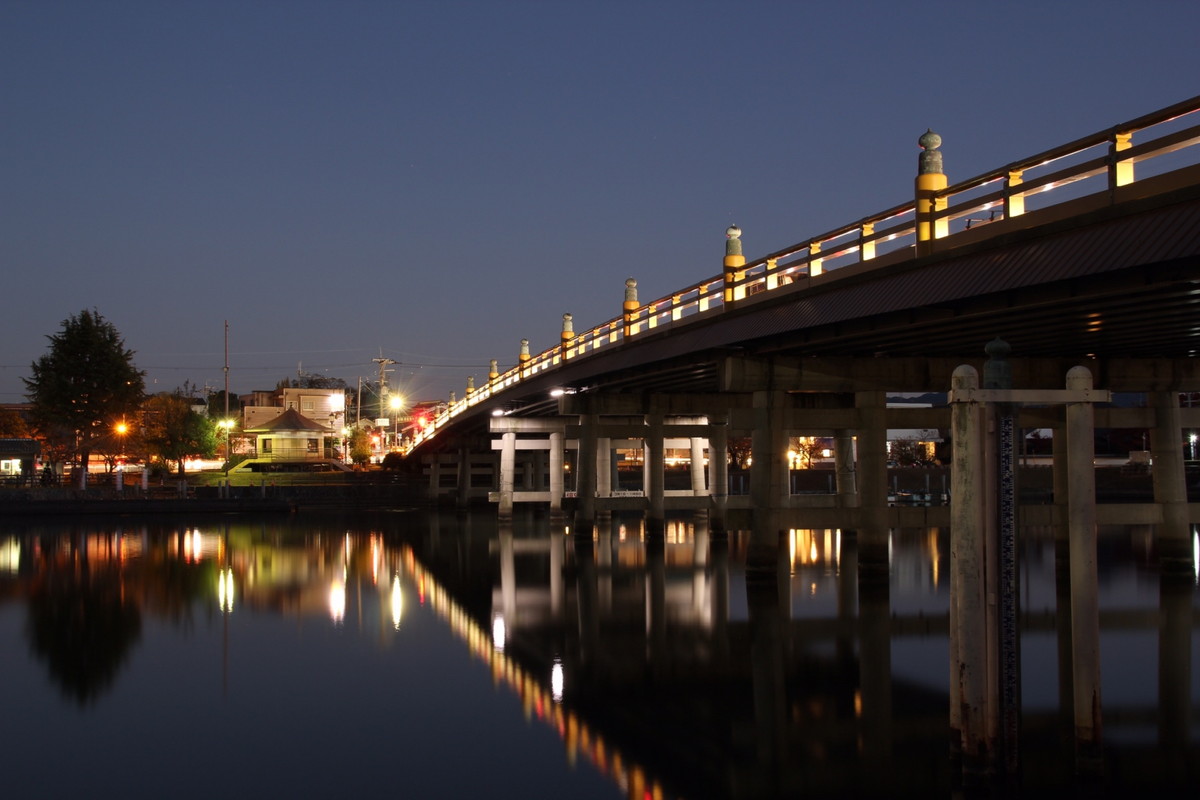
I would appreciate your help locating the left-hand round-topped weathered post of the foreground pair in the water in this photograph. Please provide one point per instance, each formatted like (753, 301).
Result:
(969, 635)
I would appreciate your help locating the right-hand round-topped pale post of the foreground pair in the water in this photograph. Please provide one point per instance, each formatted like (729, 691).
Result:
(1085, 628)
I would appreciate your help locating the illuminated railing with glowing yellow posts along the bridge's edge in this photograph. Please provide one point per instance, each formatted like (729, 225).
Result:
(1094, 166)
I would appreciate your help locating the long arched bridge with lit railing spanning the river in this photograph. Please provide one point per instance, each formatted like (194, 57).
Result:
(1088, 254)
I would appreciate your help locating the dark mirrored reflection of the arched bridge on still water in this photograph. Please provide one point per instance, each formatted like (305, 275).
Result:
(725, 669)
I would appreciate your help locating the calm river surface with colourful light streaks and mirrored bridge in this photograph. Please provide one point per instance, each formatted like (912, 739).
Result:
(319, 654)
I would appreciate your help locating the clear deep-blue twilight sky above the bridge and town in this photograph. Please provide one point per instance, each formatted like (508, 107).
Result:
(434, 181)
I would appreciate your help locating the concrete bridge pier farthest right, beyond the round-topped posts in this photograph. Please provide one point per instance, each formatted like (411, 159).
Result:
(1171, 484)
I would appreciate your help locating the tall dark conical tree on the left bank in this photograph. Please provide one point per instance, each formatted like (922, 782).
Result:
(83, 386)
